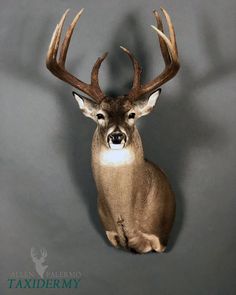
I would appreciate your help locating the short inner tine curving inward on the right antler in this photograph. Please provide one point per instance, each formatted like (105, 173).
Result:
(137, 73)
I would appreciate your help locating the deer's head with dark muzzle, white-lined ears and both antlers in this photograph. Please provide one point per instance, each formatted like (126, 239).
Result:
(115, 118)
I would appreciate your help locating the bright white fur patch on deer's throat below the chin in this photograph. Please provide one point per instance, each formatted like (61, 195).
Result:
(111, 157)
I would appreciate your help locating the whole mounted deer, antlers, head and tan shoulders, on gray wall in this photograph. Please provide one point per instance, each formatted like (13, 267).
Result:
(135, 202)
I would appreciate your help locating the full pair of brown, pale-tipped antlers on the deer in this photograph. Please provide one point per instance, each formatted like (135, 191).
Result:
(168, 49)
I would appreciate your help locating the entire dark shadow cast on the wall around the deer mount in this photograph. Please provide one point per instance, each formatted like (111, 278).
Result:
(176, 127)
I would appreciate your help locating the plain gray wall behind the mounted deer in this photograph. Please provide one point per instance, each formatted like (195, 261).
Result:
(48, 197)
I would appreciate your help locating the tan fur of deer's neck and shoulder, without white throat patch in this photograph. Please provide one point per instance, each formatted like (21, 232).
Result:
(135, 201)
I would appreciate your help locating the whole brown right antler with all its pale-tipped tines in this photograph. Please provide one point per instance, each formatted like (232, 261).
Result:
(170, 55)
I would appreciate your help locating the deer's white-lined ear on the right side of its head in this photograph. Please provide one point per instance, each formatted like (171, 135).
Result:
(145, 106)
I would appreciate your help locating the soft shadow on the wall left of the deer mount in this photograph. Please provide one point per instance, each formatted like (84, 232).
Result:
(76, 131)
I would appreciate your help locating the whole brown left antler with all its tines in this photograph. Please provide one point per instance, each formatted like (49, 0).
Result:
(57, 66)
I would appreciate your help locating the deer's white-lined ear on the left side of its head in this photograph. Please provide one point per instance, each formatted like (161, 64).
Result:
(87, 106)
